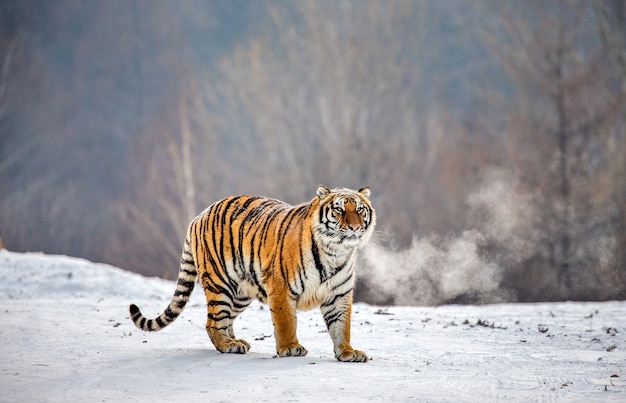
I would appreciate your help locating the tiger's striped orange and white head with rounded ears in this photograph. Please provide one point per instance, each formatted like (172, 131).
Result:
(346, 217)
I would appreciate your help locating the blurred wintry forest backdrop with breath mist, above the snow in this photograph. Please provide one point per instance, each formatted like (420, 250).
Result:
(492, 133)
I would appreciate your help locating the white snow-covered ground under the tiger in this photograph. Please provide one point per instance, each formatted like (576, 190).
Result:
(66, 336)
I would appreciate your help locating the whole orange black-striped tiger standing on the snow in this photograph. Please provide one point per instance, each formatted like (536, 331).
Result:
(244, 248)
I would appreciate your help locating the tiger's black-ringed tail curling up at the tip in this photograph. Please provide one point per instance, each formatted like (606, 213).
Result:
(187, 275)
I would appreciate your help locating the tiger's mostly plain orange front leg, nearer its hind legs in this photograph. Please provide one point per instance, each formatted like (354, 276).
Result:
(283, 310)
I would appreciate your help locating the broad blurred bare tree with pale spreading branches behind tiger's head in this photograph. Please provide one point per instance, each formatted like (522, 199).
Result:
(326, 96)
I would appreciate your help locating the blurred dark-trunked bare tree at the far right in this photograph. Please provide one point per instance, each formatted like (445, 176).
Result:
(559, 133)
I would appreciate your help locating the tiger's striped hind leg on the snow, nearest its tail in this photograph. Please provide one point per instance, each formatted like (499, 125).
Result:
(221, 314)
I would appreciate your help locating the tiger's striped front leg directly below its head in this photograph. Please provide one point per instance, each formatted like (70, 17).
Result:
(336, 312)
